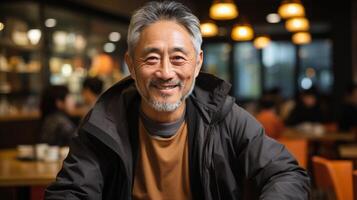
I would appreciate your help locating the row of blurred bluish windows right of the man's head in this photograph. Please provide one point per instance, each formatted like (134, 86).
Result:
(275, 66)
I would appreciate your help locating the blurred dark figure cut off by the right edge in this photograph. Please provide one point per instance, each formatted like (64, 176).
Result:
(348, 117)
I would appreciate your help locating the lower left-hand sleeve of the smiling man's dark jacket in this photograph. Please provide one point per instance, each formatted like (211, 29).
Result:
(80, 176)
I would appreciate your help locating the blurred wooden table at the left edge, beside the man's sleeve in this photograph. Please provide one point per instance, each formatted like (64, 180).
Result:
(15, 172)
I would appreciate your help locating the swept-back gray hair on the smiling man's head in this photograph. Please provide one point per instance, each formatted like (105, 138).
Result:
(167, 10)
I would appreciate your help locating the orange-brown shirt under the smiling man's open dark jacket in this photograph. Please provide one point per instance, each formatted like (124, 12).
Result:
(162, 169)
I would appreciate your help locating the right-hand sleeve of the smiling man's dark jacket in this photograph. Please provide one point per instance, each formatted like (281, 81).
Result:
(266, 163)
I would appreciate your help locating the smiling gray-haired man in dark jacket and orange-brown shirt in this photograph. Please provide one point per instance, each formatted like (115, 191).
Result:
(169, 132)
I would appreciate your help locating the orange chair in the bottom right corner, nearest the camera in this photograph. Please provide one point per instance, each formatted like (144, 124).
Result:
(334, 177)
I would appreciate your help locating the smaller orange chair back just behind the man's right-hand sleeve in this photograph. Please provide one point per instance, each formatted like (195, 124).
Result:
(297, 147)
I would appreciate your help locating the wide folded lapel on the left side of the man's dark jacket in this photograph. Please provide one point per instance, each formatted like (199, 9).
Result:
(109, 123)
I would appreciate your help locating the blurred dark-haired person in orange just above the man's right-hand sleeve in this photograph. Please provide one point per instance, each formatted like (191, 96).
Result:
(269, 118)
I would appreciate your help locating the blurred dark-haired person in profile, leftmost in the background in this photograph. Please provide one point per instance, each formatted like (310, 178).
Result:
(57, 127)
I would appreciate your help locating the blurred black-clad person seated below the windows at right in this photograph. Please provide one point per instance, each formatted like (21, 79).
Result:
(307, 109)
